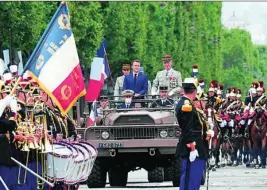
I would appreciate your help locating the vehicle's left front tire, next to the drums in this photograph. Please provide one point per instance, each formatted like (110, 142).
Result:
(98, 176)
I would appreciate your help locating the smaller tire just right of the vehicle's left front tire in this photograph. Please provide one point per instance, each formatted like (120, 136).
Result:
(117, 177)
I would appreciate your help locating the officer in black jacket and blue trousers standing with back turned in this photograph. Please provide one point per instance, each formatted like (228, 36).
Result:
(193, 143)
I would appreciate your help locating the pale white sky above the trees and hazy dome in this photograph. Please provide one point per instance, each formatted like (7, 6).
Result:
(250, 12)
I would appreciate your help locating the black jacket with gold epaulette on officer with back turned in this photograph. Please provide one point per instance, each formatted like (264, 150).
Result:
(193, 128)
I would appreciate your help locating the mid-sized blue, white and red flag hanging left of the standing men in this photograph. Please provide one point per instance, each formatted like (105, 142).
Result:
(99, 72)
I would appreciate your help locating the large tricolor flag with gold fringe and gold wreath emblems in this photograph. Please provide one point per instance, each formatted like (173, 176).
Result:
(55, 64)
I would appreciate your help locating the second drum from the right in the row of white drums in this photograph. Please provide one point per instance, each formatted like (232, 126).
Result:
(85, 166)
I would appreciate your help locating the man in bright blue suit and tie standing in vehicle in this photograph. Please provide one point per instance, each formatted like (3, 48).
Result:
(136, 81)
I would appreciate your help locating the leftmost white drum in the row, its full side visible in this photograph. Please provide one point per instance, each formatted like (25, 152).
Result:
(58, 161)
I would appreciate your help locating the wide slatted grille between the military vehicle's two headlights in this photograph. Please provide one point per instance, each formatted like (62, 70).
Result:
(134, 133)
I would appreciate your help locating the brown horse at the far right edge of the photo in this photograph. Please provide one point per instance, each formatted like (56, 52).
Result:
(258, 135)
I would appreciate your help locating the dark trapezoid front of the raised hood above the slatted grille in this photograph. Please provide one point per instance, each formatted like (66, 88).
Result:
(133, 120)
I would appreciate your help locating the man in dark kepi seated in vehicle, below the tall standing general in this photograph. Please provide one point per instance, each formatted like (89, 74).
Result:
(163, 101)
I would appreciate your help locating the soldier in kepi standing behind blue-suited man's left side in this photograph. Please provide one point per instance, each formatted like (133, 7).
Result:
(119, 82)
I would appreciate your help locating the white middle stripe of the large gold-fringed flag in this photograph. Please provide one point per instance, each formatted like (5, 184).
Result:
(60, 65)
